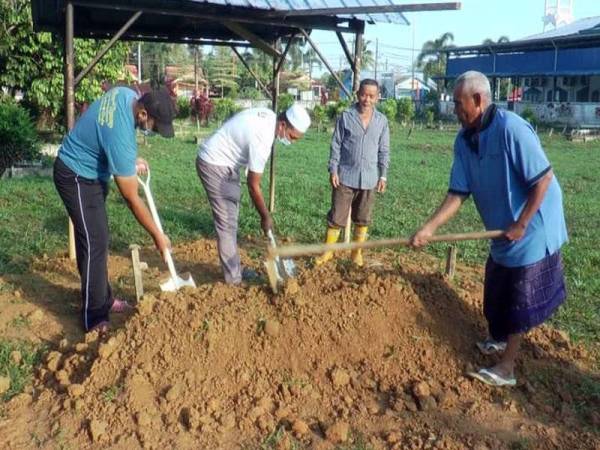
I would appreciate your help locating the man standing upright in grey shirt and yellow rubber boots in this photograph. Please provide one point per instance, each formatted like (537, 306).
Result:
(358, 166)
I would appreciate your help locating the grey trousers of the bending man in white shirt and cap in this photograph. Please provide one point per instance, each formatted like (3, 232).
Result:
(222, 186)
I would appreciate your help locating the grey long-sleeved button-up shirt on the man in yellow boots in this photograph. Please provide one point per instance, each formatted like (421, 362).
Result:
(360, 156)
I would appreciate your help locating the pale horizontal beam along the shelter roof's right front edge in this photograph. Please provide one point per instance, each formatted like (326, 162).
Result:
(376, 9)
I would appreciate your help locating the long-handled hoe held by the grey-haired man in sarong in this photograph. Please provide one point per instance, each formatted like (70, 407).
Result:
(275, 253)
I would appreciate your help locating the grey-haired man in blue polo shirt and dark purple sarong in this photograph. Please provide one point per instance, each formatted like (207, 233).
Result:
(499, 160)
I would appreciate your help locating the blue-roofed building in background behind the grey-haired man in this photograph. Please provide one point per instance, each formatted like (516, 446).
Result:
(555, 74)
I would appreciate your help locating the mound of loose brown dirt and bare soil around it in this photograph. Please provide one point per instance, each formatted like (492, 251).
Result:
(342, 357)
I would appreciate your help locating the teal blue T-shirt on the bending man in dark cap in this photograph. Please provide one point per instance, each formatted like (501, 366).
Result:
(103, 141)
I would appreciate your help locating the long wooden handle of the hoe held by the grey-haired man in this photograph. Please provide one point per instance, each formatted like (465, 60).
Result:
(314, 249)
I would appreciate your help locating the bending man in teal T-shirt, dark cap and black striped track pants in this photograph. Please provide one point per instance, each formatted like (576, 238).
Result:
(103, 144)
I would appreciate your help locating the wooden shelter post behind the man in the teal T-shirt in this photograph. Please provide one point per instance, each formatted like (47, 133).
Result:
(69, 93)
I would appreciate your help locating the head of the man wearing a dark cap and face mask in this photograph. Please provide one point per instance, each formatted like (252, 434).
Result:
(155, 112)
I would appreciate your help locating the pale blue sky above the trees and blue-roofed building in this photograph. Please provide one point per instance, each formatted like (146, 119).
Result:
(476, 21)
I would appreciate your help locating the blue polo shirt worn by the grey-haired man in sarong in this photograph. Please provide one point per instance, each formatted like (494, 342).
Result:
(499, 174)
